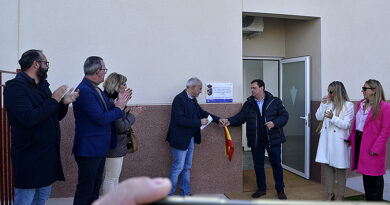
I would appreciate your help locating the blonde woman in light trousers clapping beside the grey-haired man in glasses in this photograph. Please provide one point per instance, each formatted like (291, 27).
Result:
(113, 85)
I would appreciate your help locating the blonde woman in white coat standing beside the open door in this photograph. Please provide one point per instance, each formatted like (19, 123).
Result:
(336, 112)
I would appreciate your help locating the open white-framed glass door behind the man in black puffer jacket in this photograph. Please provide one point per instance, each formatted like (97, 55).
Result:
(295, 94)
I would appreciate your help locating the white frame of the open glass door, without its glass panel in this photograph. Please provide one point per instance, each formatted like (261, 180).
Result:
(307, 61)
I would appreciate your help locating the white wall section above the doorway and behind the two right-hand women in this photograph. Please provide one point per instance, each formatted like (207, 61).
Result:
(354, 38)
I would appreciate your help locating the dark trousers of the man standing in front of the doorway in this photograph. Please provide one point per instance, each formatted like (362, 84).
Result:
(274, 154)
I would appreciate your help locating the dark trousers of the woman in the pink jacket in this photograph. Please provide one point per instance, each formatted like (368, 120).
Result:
(373, 187)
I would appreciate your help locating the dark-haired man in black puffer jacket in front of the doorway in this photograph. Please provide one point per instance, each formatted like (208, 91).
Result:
(265, 116)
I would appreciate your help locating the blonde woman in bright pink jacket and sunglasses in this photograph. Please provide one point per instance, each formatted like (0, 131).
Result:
(370, 131)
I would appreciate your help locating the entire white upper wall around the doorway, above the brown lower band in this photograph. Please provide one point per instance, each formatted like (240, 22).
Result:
(160, 44)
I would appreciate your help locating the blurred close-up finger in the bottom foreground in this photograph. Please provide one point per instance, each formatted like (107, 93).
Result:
(136, 191)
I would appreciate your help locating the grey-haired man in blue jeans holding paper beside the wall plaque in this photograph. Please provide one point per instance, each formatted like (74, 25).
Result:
(186, 119)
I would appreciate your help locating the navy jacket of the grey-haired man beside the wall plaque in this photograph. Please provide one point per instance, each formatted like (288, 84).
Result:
(183, 125)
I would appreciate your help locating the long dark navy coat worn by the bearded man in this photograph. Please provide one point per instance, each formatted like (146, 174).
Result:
(35, 132)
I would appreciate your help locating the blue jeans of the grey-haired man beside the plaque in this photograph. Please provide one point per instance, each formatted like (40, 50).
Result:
(181, 165)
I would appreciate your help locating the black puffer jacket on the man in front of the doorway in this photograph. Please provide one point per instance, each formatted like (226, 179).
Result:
(273, 110)
